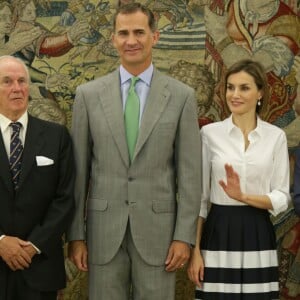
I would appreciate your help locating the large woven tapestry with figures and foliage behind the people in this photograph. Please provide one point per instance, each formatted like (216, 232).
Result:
(68, 43)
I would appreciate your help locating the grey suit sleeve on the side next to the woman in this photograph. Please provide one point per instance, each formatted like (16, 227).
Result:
(188, 169)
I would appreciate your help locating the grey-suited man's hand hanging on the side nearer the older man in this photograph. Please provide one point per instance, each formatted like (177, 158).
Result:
(77, 253)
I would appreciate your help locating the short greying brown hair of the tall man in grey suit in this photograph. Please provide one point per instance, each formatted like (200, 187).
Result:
(134, 7)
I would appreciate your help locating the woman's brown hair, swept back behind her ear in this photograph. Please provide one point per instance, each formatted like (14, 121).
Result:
(255, 70)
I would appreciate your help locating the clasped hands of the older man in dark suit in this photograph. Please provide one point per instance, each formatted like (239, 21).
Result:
(13, 253)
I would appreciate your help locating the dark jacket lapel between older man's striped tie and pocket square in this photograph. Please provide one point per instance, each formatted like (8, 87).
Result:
(33, 142)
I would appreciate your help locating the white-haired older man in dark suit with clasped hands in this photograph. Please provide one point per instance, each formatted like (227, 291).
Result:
(36, 188)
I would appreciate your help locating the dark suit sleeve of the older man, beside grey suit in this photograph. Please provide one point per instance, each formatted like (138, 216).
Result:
(45, 235)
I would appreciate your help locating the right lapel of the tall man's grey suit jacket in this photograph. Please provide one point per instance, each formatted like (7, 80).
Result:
(157, 100)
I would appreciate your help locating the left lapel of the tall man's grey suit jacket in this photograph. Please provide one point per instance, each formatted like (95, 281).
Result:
(111, 101)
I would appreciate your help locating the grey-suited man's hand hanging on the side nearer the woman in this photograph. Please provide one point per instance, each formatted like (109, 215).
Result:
(178, 255)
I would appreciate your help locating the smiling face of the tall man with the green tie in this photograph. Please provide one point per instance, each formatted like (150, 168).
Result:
(134, 40)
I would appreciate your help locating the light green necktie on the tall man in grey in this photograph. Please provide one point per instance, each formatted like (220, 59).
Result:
(132, 116)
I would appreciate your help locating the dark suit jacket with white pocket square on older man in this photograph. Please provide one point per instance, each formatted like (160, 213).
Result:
(41, 209)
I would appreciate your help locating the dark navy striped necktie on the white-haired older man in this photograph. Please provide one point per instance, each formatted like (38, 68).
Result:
(16, 150)
